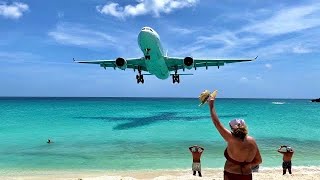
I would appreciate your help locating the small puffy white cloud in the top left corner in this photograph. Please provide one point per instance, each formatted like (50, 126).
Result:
(13, 11)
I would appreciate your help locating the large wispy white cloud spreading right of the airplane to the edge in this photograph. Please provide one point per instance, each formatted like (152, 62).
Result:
(258, 38)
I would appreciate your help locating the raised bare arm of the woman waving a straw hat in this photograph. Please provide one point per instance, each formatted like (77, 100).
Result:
(225, 133)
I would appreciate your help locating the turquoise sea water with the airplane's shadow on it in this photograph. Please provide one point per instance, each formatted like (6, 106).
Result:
(147, 133)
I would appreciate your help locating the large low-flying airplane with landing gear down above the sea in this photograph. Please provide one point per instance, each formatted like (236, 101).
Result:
(156, 62)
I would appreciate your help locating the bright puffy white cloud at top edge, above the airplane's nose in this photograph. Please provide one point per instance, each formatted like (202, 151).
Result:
(155, 7)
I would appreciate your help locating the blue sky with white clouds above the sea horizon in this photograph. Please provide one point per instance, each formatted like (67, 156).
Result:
(39, 39)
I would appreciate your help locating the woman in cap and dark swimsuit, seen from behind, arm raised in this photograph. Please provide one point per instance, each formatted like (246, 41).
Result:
(242, 152)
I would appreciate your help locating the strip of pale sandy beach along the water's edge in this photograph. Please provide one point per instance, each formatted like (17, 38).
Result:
(299, 173)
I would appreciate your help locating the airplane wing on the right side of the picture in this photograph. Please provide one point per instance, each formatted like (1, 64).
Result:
(176, 63)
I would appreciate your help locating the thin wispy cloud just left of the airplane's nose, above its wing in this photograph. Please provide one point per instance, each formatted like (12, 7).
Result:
(119, 42)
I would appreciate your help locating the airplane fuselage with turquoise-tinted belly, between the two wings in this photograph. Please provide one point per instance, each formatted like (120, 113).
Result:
(149, 43)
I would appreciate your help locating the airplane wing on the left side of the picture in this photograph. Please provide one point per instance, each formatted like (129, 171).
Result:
(130, 63)
